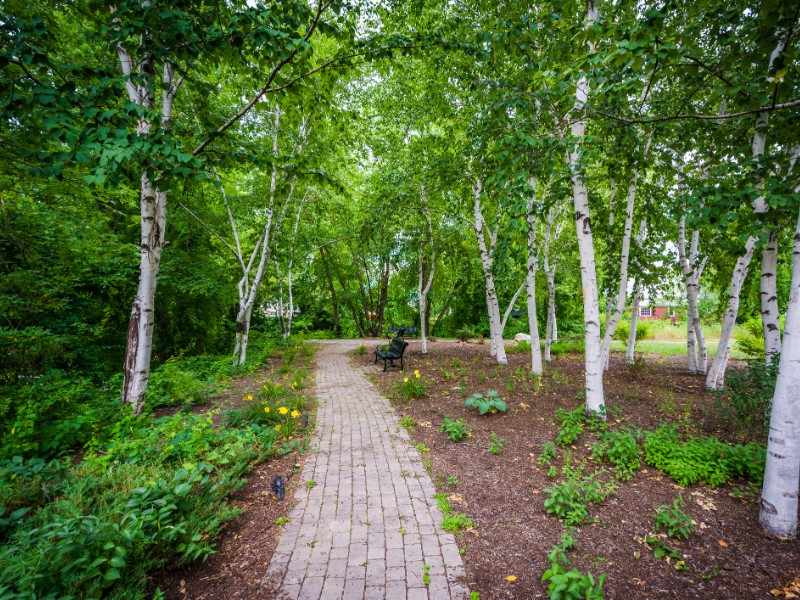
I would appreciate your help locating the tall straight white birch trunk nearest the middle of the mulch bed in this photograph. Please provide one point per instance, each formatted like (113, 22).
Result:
(595, 403)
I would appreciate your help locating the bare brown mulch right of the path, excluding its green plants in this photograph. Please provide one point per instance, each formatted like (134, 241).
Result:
(727, 555)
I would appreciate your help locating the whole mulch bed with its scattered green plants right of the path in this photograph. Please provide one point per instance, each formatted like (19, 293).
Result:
(621, 499)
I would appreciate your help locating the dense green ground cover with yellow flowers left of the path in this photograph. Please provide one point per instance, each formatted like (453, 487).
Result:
(146, 491)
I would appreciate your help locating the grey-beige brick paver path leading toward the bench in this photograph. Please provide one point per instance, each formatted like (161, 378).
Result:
(370, 523)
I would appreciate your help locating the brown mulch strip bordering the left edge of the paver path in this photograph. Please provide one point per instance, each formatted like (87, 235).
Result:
(246, 544)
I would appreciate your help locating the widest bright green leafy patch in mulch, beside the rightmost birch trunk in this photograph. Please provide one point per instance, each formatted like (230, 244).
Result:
(702, 458)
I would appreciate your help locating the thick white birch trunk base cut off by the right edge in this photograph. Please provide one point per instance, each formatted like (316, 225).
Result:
(778, 515)
